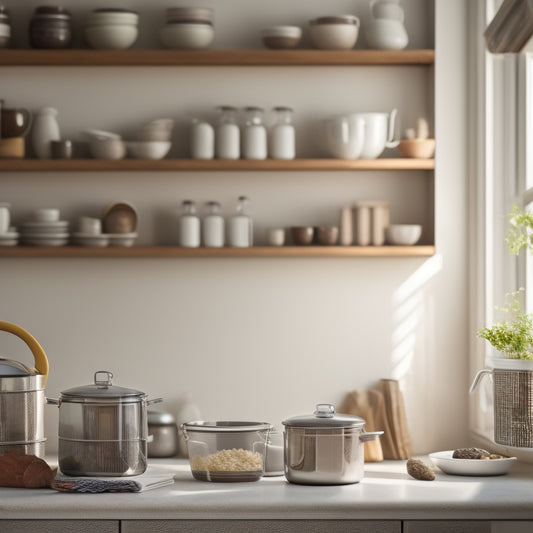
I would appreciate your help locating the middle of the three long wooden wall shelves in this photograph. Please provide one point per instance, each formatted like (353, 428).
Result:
(183, 165)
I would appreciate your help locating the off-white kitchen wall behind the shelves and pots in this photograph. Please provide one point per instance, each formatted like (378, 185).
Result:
(259, 339)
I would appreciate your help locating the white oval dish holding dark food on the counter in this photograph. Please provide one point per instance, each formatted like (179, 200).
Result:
(471, 467)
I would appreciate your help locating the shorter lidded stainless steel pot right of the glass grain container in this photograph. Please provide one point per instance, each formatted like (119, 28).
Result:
(325, 448)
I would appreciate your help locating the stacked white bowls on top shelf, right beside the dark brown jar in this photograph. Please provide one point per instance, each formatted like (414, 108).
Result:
(111, 28)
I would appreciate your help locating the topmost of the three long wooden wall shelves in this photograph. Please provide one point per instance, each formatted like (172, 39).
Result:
(96, 58)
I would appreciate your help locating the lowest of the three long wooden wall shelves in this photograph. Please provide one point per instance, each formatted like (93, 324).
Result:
(179, 252)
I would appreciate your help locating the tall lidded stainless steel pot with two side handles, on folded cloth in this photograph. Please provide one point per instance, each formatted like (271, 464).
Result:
(102, 429)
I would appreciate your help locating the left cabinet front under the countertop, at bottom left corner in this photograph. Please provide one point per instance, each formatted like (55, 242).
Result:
(59, 526)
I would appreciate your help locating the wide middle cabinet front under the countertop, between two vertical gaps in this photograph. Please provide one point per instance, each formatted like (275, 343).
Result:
(259, 526)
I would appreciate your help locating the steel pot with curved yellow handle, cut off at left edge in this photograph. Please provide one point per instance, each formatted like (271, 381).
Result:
(22, 399)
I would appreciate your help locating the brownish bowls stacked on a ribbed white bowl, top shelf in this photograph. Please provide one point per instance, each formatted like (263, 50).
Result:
(188, 28)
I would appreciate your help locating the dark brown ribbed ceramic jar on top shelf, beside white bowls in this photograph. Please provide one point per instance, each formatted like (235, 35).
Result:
(51, 27)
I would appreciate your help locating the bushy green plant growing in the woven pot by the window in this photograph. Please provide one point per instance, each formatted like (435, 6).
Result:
(515, 337)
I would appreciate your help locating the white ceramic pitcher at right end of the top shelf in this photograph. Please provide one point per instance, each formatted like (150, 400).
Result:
(385, 29)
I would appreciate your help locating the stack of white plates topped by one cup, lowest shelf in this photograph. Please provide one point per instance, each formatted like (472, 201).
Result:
(44, 228)
